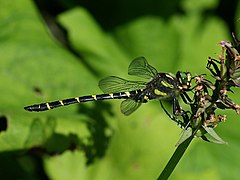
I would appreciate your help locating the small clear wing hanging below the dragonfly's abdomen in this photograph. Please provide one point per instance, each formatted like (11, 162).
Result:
(128, 106)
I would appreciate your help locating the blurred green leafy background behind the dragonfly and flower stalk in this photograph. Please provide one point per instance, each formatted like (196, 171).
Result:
(52, 50)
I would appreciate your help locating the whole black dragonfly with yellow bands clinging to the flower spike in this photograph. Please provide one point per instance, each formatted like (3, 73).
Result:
(154, 86)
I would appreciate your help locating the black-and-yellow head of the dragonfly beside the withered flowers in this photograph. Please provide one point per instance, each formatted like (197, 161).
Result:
(184, 79)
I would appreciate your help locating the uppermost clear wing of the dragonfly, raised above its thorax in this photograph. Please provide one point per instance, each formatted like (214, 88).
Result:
(140, 67)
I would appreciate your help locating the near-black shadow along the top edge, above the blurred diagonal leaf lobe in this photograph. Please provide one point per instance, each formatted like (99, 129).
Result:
(110, 14)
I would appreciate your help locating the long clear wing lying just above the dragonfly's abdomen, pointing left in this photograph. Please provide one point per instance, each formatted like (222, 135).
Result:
(114, 84)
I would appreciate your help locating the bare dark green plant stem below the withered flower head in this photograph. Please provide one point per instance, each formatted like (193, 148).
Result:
(172, 163)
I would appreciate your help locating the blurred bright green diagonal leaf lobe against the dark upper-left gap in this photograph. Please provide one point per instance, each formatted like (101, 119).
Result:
(95, 45)
